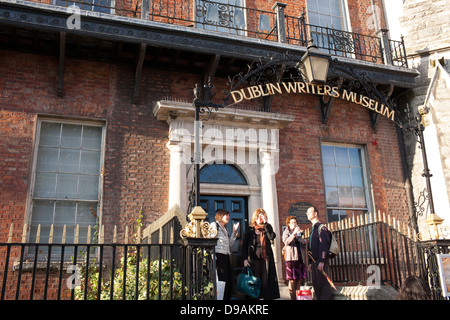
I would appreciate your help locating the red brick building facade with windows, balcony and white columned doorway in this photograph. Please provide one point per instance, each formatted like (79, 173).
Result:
(89, 117)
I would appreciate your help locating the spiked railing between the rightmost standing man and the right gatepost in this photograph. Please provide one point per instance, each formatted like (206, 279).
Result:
(375, 251)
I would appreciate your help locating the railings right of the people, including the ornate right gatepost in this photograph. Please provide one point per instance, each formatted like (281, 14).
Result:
(376, 250)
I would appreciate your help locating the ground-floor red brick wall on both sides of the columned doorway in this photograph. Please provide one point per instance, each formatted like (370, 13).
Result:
(136, 159)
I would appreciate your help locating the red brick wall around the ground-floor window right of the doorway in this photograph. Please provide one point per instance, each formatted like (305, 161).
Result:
(300, 177)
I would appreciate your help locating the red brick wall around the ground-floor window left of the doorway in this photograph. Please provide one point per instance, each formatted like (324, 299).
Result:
(135, 178)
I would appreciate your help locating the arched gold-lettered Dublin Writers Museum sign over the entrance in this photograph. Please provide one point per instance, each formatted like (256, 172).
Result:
(300, 87)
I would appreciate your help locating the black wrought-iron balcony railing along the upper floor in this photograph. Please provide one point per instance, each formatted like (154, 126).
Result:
(234, 18)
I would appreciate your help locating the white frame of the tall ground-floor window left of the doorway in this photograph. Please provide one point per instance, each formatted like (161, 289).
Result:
(99, 199)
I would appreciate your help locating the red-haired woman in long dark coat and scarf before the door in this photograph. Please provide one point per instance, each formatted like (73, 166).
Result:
(258, 255)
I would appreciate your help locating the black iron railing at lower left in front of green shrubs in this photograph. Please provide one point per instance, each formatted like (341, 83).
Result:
(141, 271)
